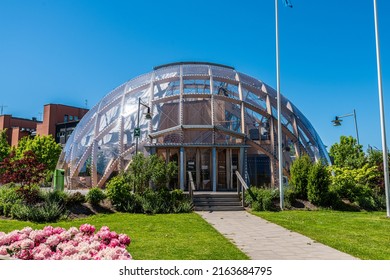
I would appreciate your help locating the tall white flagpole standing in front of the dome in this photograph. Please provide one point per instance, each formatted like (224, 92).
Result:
(280, 155)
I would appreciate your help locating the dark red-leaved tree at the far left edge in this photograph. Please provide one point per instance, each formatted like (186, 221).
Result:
(25, 171)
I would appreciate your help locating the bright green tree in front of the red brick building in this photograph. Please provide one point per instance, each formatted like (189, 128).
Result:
(46, 150)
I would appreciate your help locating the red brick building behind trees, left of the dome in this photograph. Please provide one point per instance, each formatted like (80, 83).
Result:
(58, 120)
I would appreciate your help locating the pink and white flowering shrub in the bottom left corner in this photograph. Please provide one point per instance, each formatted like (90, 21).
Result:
(60, 244)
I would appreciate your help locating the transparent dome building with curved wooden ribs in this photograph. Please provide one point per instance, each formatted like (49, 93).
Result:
(209, 118)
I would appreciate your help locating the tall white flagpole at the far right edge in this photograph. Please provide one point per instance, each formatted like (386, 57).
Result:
(382, 112)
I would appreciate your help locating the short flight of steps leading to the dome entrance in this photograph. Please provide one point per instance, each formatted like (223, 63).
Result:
(222, 201)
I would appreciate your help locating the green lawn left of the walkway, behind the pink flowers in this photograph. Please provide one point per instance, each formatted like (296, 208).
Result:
(157, 237)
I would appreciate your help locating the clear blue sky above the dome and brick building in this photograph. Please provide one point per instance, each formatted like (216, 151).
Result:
(69, 51)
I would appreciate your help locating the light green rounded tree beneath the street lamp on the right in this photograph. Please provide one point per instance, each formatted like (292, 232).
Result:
(347, 153)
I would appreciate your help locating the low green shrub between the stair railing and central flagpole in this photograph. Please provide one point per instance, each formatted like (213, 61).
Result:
(264, 199)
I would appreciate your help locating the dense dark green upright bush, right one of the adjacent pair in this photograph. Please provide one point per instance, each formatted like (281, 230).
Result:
(318, 183)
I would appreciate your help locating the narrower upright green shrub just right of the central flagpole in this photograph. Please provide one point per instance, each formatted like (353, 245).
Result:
(299, 172)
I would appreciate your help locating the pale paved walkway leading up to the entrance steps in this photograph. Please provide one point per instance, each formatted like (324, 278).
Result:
(262, 240)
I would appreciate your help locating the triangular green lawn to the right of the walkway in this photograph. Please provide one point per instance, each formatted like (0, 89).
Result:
(365, 235)
